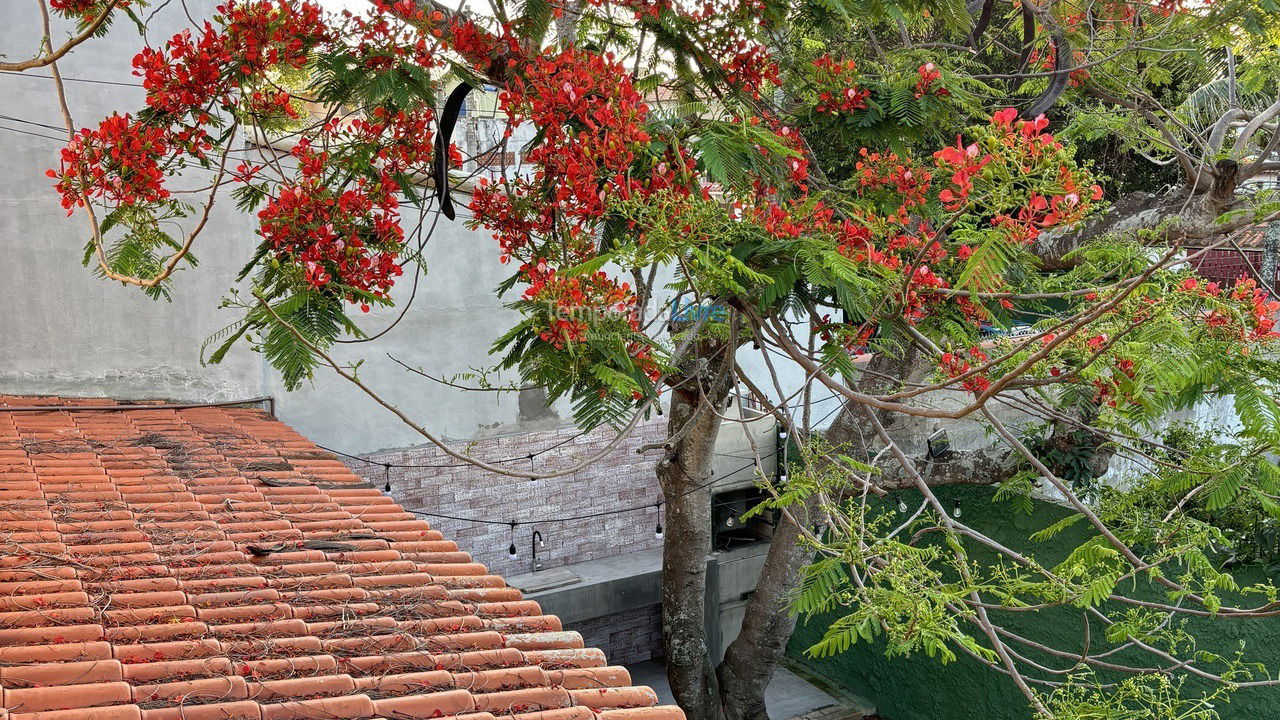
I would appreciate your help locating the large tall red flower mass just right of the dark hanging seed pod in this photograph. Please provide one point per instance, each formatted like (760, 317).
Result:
(592, 124)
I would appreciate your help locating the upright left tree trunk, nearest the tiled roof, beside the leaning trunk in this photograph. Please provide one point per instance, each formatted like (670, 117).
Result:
(683, 473)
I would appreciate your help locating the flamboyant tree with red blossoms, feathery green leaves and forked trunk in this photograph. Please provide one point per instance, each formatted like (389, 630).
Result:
(844, 179)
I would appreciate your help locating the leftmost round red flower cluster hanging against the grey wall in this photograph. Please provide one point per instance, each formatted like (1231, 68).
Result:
(120, 163)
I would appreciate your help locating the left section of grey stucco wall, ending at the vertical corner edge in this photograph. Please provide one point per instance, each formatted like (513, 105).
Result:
(62, 329)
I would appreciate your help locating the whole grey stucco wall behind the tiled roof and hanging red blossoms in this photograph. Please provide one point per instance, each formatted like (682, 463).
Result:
(68, 332)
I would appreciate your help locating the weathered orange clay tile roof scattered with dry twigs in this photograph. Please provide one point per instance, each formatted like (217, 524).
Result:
(212, 564)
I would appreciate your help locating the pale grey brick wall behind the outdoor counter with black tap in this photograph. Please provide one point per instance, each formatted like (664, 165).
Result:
(623, 480)
